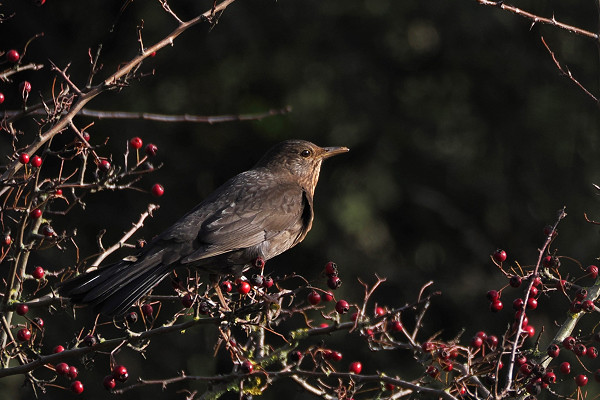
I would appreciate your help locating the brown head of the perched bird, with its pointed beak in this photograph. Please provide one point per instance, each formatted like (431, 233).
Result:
(300, 158)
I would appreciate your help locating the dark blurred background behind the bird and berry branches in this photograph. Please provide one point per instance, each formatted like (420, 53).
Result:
(463, 138)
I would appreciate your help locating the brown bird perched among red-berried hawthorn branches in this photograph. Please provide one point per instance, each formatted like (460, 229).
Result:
(257, 214)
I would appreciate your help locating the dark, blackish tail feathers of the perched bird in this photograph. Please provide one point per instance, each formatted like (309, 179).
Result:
(111, 290)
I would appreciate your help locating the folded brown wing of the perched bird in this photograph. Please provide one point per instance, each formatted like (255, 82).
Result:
(241, 215)
